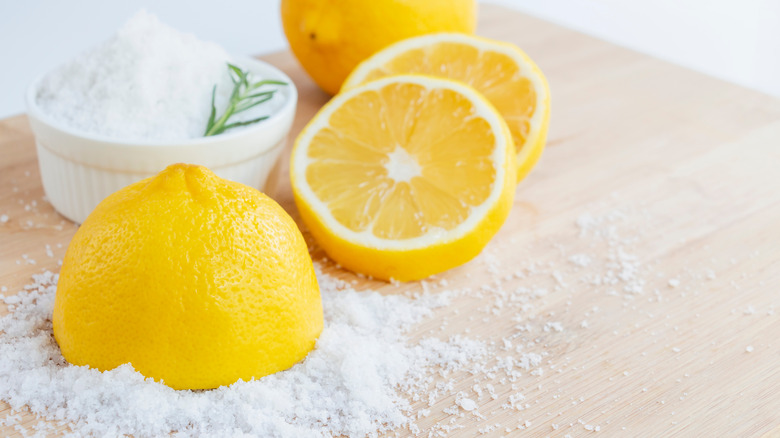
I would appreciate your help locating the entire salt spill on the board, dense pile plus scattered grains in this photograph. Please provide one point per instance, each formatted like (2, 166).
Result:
(371, 372)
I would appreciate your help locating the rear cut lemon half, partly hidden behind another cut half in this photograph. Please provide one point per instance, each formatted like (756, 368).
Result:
(502, 72)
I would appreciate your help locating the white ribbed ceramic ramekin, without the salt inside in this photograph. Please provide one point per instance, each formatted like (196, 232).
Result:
(79, 170)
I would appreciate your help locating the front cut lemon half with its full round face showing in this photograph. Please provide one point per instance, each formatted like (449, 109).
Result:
(404, 177)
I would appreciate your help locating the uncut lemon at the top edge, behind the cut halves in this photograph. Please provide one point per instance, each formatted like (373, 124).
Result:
(331, 38)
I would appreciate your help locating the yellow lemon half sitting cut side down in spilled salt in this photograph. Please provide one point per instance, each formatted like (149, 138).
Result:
(194, 280)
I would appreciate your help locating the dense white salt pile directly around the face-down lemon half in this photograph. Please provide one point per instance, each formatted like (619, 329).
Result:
(351, 384)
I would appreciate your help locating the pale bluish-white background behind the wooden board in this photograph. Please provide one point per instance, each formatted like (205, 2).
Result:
(736, 40)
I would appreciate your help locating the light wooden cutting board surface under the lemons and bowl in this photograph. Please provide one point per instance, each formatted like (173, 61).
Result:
(689, 167)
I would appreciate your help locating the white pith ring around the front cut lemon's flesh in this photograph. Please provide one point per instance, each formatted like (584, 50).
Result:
(434, 235)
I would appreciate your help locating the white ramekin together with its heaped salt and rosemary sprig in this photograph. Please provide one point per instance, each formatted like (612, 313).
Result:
(149, 97)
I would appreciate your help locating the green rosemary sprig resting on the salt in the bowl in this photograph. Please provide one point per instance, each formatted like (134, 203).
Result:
(245, 95)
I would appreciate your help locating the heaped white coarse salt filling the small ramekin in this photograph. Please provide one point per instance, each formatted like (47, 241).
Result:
(147, 82)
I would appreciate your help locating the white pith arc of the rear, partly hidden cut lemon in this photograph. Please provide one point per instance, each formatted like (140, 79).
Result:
(527, 67)
